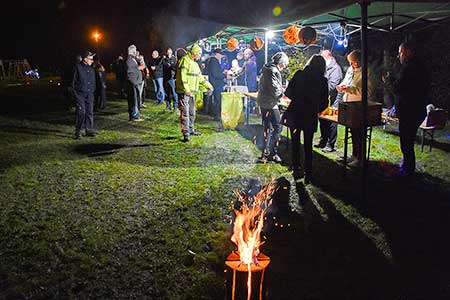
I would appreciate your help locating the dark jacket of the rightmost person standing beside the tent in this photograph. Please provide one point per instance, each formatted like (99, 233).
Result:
(411, 90)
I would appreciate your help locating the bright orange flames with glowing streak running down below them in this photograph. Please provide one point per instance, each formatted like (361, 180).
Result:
(248, 225)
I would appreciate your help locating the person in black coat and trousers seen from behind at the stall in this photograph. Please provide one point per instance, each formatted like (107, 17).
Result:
(308, 91)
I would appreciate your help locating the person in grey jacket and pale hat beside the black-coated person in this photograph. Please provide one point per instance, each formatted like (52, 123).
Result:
(270, 93)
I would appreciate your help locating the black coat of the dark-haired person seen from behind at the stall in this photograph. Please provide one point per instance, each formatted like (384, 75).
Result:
(308, 91)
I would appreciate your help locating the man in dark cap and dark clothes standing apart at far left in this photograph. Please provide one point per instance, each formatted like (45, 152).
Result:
(82, 88)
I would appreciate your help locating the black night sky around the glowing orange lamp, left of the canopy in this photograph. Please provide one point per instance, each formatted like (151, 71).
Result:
(47, 32)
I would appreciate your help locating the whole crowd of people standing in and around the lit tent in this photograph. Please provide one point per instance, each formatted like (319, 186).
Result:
(179, 77)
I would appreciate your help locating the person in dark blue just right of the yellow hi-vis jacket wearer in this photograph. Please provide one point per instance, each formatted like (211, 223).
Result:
(216, 77)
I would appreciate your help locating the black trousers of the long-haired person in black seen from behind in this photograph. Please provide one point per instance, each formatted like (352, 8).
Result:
(307, 145)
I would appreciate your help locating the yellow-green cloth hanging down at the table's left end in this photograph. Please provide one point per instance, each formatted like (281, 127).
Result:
(232, 110)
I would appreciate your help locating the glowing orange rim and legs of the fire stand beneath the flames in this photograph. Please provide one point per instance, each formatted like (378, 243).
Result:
(234, 262)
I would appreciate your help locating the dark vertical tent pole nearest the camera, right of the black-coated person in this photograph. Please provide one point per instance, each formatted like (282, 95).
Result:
(364, 18)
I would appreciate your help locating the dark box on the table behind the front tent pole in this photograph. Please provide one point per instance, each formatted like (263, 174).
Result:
(350, 114)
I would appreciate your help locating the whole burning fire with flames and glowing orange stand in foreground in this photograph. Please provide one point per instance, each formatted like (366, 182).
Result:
(247, 228)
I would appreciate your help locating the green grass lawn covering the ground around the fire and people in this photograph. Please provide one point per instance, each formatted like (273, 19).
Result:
(134, 213)
